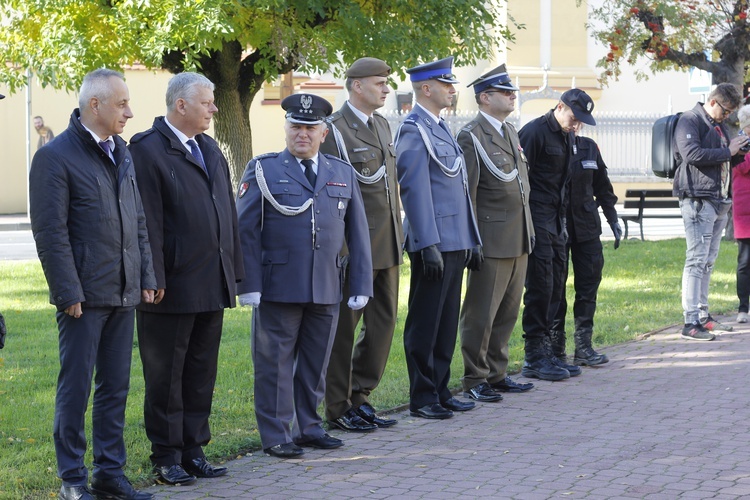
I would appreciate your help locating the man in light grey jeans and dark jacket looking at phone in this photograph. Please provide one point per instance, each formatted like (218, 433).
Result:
(702, 183)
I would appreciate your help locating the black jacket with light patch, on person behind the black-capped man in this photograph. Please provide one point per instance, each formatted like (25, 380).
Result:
(590, 189)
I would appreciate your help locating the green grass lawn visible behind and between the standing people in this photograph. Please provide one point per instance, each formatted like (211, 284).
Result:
(640, 293)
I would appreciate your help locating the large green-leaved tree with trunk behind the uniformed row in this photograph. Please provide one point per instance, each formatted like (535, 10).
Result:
(238, 44)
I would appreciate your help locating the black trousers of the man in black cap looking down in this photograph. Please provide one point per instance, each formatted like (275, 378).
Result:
(544, 283)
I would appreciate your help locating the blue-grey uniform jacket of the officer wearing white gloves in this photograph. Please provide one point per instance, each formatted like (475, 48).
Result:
(279, 258)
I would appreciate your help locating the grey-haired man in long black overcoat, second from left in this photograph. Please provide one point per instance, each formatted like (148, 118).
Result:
(192, 223)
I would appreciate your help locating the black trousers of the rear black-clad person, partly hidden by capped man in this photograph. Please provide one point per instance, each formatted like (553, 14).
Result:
(588, 262)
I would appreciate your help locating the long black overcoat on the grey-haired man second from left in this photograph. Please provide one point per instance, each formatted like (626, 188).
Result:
(192, 221)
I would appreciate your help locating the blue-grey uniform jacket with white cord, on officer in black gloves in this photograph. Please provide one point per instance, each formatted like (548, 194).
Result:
(438, 208)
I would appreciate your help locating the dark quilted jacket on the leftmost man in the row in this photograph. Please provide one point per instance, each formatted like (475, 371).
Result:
(88, 222)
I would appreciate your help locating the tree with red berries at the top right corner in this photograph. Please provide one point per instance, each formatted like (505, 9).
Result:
(712, 35)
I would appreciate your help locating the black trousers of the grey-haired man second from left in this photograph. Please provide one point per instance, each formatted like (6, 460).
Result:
(180, 353)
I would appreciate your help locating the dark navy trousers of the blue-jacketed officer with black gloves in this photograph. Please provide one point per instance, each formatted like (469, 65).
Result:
(431, 328)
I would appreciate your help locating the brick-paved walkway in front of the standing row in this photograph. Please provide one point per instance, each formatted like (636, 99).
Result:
(665, 418)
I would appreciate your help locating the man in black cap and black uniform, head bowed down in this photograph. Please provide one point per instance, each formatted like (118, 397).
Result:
(548, 143)
